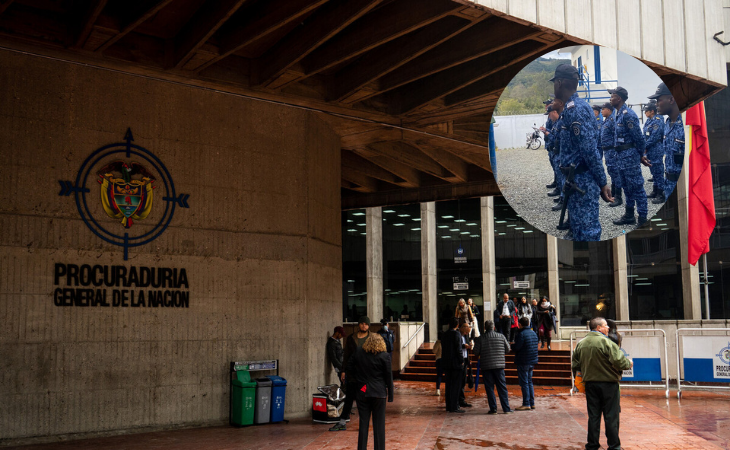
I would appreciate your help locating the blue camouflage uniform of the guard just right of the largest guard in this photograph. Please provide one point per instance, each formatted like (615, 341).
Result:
(628, 134)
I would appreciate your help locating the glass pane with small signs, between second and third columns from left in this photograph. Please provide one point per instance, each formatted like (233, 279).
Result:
(459, 254)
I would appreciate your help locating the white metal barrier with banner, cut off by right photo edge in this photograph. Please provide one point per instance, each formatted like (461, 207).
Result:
(709, 360)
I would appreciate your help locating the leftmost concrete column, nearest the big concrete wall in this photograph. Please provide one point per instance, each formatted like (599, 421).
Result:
(374, 261)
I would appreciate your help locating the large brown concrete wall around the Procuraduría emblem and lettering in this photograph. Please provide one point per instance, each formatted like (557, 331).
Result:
(261, 245)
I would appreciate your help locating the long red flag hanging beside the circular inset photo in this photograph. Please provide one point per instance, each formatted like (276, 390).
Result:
(701, 201)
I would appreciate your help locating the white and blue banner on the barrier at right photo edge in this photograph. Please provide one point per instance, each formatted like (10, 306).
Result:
(706, 358)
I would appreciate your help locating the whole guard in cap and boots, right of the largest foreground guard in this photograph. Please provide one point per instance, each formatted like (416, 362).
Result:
(629, 145)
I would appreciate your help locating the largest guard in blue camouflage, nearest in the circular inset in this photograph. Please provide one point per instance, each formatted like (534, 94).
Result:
(579, 159)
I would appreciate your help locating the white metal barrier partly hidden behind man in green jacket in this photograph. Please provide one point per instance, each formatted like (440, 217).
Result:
(646, 356)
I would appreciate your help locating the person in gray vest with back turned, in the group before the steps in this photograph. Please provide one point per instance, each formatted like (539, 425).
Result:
(491, 348)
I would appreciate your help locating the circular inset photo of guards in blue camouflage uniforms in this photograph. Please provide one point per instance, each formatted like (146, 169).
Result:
(590, 143)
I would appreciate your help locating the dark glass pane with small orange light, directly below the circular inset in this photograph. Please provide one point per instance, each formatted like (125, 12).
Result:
(585, 271)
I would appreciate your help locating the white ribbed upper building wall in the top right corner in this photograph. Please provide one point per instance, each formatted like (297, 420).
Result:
(683, 28)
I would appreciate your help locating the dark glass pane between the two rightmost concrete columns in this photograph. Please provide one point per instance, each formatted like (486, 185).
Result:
(654, 267)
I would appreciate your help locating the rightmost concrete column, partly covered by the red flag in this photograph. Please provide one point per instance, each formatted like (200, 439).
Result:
(690, 274)
